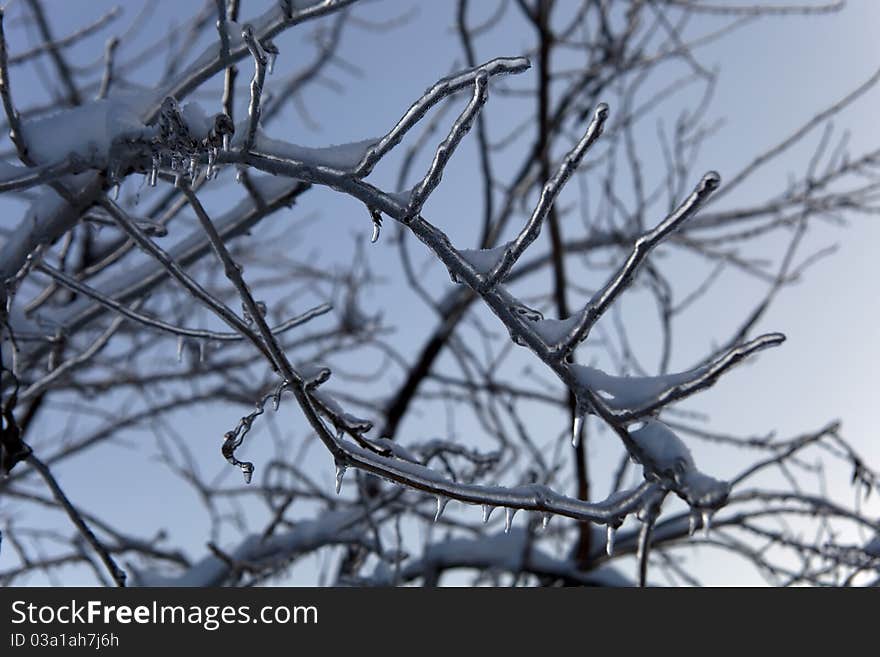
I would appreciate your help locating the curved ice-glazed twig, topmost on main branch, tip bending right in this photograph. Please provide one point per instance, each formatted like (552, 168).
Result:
(437, 92)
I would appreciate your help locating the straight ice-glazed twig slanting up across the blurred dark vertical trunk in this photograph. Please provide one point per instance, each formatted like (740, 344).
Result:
(548, 195)
